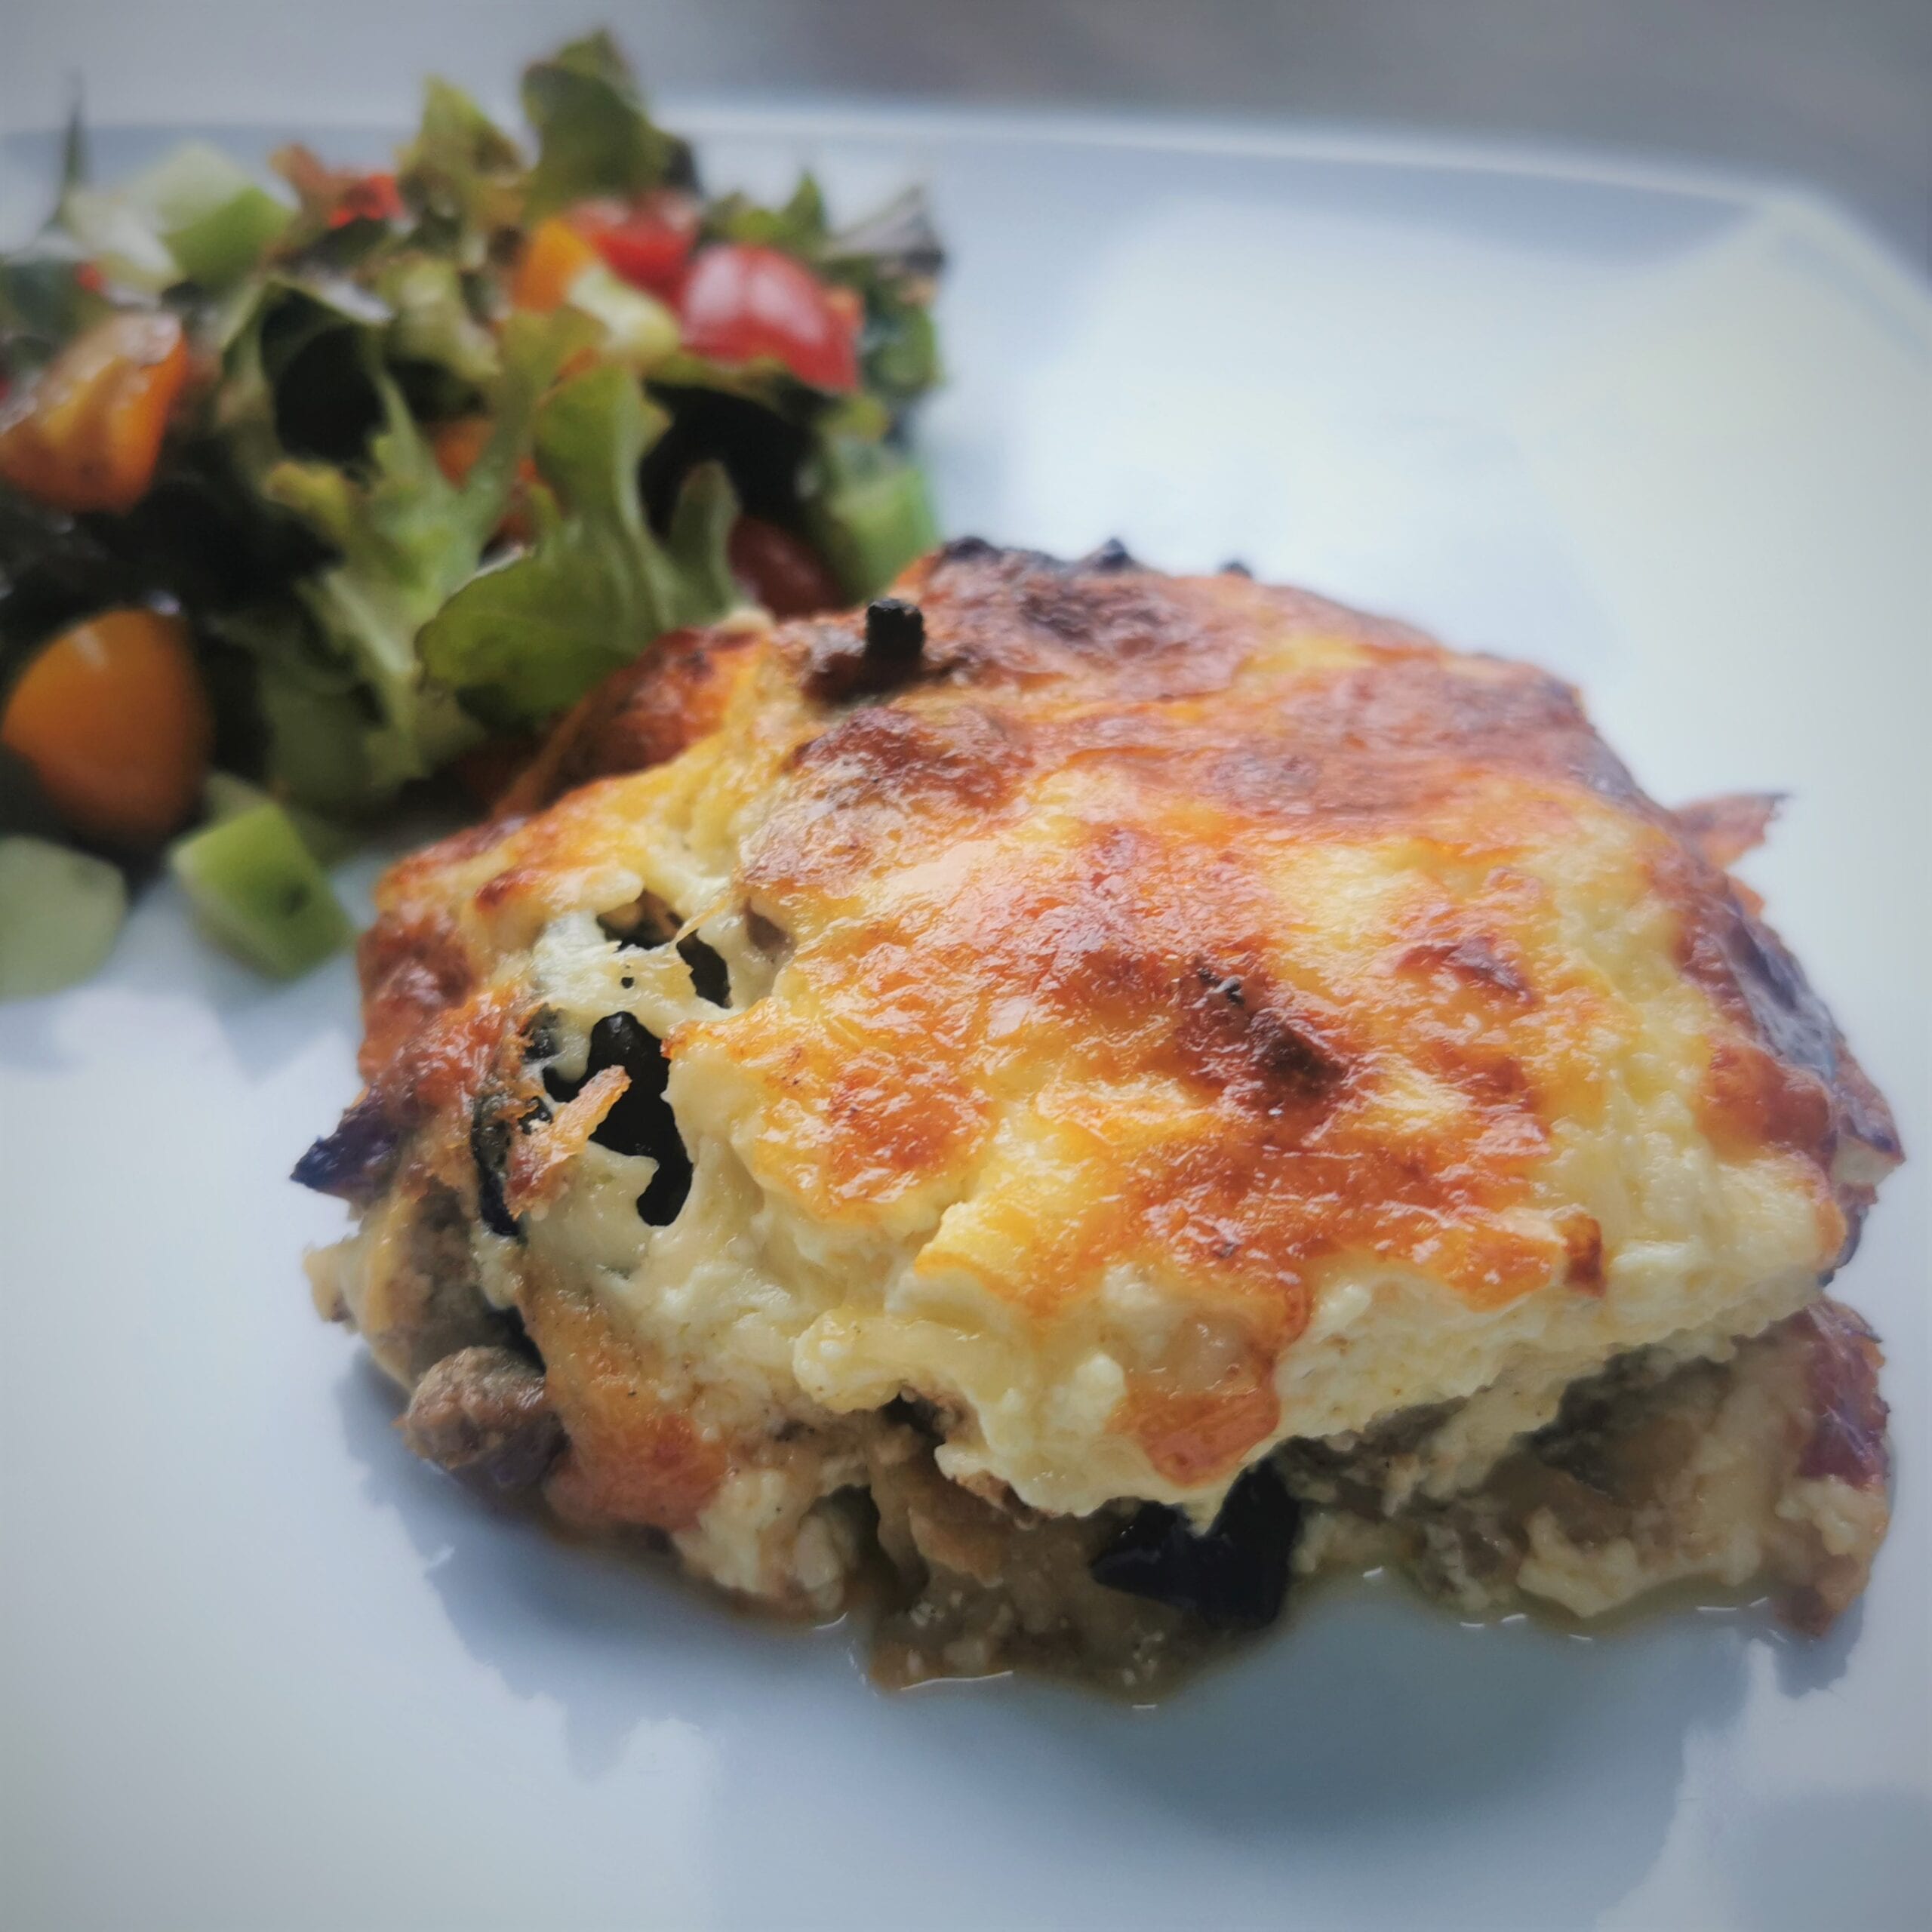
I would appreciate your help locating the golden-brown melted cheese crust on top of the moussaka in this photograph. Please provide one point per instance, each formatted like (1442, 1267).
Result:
(1187, 1015)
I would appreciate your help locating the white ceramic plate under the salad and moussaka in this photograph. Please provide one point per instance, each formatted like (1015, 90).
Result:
(264, 1670)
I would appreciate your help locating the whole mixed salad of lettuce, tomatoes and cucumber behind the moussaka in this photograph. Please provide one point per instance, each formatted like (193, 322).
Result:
(329, 488)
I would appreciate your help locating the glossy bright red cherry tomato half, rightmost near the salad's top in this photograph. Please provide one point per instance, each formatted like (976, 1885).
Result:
(745, 302)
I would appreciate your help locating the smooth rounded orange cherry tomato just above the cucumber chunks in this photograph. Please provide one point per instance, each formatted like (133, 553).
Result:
(115, 722)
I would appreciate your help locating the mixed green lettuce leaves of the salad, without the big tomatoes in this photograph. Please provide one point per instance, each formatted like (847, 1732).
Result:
(370, 604)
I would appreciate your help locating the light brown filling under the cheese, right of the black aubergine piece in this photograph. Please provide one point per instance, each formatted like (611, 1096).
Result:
(1767, 1469)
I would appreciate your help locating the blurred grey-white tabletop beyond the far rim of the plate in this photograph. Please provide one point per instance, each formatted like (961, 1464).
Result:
(1836, 94)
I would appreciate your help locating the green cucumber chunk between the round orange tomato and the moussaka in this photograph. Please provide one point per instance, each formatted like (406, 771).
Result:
(260, 892)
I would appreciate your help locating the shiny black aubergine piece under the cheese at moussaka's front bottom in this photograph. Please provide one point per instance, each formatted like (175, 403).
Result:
(1234, 1577)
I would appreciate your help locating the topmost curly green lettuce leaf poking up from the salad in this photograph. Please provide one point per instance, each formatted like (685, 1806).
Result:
(594, 136)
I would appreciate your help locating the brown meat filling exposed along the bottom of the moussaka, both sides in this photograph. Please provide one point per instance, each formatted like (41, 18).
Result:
(1763, 1467)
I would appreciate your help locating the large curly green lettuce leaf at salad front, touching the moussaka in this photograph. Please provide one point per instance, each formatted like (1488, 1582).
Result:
(530, 637)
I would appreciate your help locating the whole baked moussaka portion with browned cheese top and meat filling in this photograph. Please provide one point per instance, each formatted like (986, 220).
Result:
(1091, 1093)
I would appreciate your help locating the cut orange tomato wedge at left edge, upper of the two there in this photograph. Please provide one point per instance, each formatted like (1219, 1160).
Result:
(88, 434)
